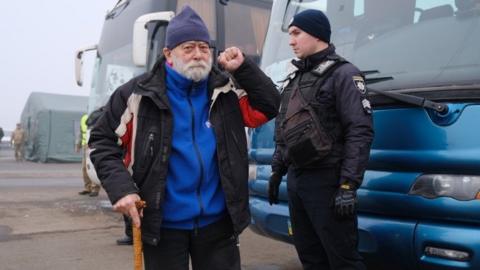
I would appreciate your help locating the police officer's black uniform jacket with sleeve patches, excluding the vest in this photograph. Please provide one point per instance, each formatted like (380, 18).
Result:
(344, 111)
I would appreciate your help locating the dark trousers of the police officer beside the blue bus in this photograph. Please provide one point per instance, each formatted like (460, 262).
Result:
(322, 241)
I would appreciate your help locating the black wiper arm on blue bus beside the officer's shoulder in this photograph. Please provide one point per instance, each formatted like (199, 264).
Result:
(409, 99)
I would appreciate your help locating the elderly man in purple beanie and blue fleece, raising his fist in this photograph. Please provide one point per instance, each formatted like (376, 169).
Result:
(175, 137)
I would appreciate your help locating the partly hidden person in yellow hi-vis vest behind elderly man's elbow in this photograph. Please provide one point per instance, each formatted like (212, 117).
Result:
(90, 188)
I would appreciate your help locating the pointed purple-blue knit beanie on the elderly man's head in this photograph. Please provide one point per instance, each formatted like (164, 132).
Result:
(186, 26)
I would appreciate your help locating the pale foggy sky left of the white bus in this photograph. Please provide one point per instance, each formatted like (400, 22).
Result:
(38, 40)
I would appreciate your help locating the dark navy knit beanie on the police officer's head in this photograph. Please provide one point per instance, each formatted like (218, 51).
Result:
(314, 22)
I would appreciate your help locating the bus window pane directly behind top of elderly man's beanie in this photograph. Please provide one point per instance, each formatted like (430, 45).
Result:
(206, 10)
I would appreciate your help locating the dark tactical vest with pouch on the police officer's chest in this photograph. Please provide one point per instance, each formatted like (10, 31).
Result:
(299, 125)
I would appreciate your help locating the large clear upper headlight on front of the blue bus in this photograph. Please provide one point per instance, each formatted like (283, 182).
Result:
(459, 187)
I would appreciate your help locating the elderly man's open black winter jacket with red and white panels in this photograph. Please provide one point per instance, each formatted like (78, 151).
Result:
(138, 119)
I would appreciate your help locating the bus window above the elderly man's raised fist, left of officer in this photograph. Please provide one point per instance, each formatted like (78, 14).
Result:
(245, 27)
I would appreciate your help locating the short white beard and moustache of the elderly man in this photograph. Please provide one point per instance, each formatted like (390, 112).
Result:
(193, 70)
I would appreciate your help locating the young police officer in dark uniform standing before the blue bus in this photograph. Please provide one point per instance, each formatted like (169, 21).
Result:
(323, 134)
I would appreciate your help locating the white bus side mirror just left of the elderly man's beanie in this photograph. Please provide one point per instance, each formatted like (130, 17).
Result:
(140, 34)
